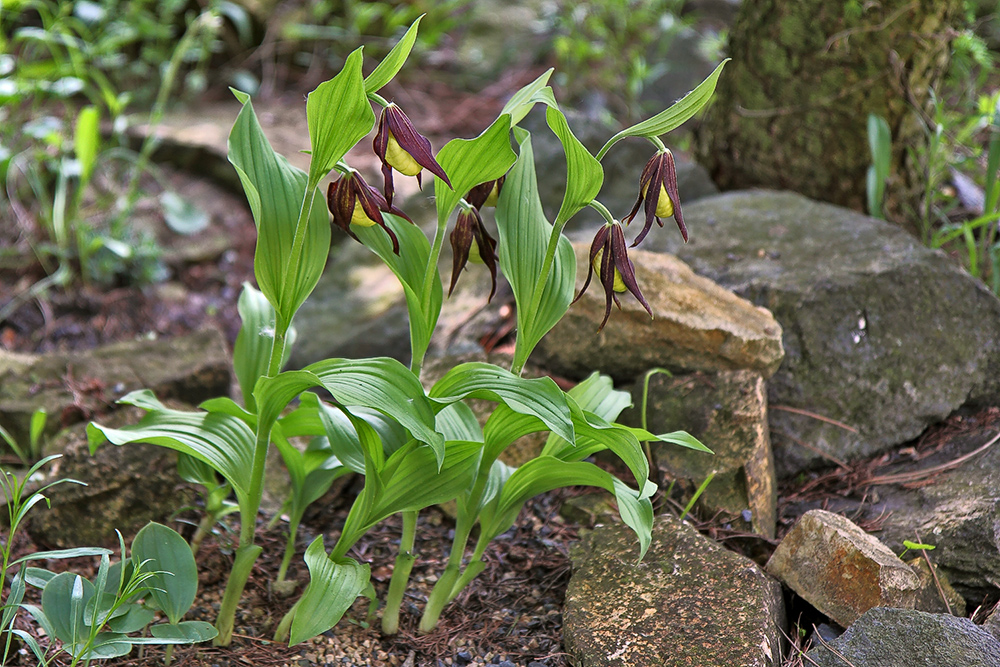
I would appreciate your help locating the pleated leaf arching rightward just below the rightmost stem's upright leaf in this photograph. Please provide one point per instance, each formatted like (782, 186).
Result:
(537, 396)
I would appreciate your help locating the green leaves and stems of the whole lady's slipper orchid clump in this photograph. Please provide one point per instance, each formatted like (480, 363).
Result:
(415, 447)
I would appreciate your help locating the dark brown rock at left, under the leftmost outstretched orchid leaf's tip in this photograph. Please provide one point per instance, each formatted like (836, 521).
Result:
(126, 487)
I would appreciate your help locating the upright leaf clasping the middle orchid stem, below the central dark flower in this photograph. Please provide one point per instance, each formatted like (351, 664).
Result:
(410, 267)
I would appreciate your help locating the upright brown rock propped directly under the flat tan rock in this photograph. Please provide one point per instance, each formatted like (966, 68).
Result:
(727, 411)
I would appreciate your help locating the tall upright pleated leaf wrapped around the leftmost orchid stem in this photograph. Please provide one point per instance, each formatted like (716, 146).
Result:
(276, 191)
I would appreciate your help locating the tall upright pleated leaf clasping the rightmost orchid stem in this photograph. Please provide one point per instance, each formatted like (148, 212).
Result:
(524, 237)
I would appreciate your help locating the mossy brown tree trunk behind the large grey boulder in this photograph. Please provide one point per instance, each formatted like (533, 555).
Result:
(791, 109)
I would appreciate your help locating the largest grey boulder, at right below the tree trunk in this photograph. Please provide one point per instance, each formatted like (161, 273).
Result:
(880, 333)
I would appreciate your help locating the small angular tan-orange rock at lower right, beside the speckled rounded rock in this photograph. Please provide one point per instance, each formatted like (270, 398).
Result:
(840, 569)
